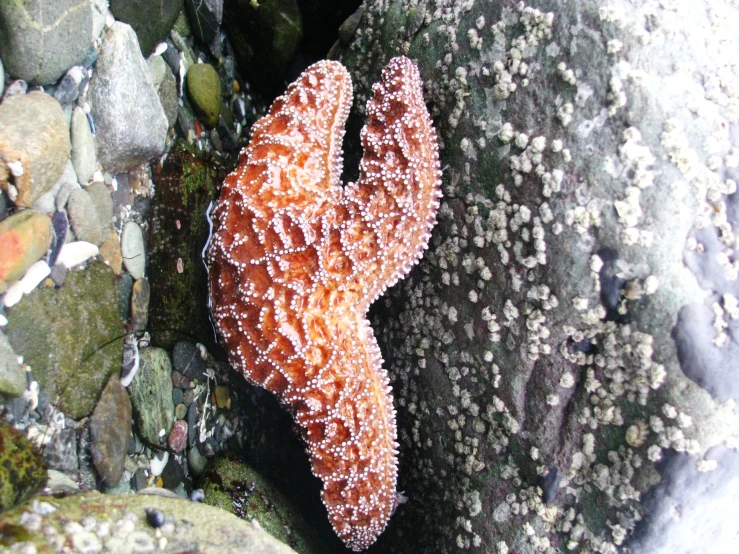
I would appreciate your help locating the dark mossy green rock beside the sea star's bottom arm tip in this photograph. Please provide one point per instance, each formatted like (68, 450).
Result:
(235, 487)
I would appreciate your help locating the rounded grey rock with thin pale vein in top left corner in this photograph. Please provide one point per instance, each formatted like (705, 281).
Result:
(40, 40)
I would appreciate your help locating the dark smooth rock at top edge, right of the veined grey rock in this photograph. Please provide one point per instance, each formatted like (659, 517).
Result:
(151, 20)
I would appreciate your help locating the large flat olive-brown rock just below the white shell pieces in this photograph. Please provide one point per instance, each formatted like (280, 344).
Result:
(65, 334)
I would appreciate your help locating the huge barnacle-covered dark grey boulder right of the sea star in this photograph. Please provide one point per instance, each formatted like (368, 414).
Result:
(576, 311)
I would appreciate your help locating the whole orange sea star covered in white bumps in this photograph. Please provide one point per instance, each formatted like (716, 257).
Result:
(296, 260)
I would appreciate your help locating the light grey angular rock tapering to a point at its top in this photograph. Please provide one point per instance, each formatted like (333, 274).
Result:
(131, 124)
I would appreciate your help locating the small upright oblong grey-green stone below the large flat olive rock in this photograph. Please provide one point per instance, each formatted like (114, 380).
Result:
(151, 394)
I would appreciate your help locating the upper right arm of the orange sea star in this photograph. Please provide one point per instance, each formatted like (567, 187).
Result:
(393, 205)
